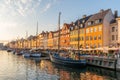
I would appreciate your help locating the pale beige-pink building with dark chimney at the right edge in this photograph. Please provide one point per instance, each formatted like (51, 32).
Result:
(115, 31)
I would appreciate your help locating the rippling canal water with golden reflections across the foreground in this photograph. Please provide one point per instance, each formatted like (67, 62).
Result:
(13, 67)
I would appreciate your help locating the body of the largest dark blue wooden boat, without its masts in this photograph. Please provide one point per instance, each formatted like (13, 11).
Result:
(56, 58)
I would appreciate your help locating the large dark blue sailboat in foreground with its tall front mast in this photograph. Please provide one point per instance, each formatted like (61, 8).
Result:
(67, 58)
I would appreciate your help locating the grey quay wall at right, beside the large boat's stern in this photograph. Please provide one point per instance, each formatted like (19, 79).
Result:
(104, 62)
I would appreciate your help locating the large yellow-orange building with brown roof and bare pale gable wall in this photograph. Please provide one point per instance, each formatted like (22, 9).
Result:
(97, 29)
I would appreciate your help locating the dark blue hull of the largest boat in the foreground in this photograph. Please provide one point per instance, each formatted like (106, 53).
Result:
(70, 63)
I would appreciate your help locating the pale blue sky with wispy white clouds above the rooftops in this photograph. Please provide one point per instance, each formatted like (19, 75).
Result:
(18, 17)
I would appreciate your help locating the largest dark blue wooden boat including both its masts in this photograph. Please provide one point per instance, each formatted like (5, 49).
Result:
(68, 61)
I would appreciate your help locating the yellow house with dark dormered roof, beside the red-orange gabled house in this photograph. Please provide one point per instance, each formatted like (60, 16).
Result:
(77, 32)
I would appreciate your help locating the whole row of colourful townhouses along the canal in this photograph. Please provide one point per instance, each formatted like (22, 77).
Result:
(98, 30)
